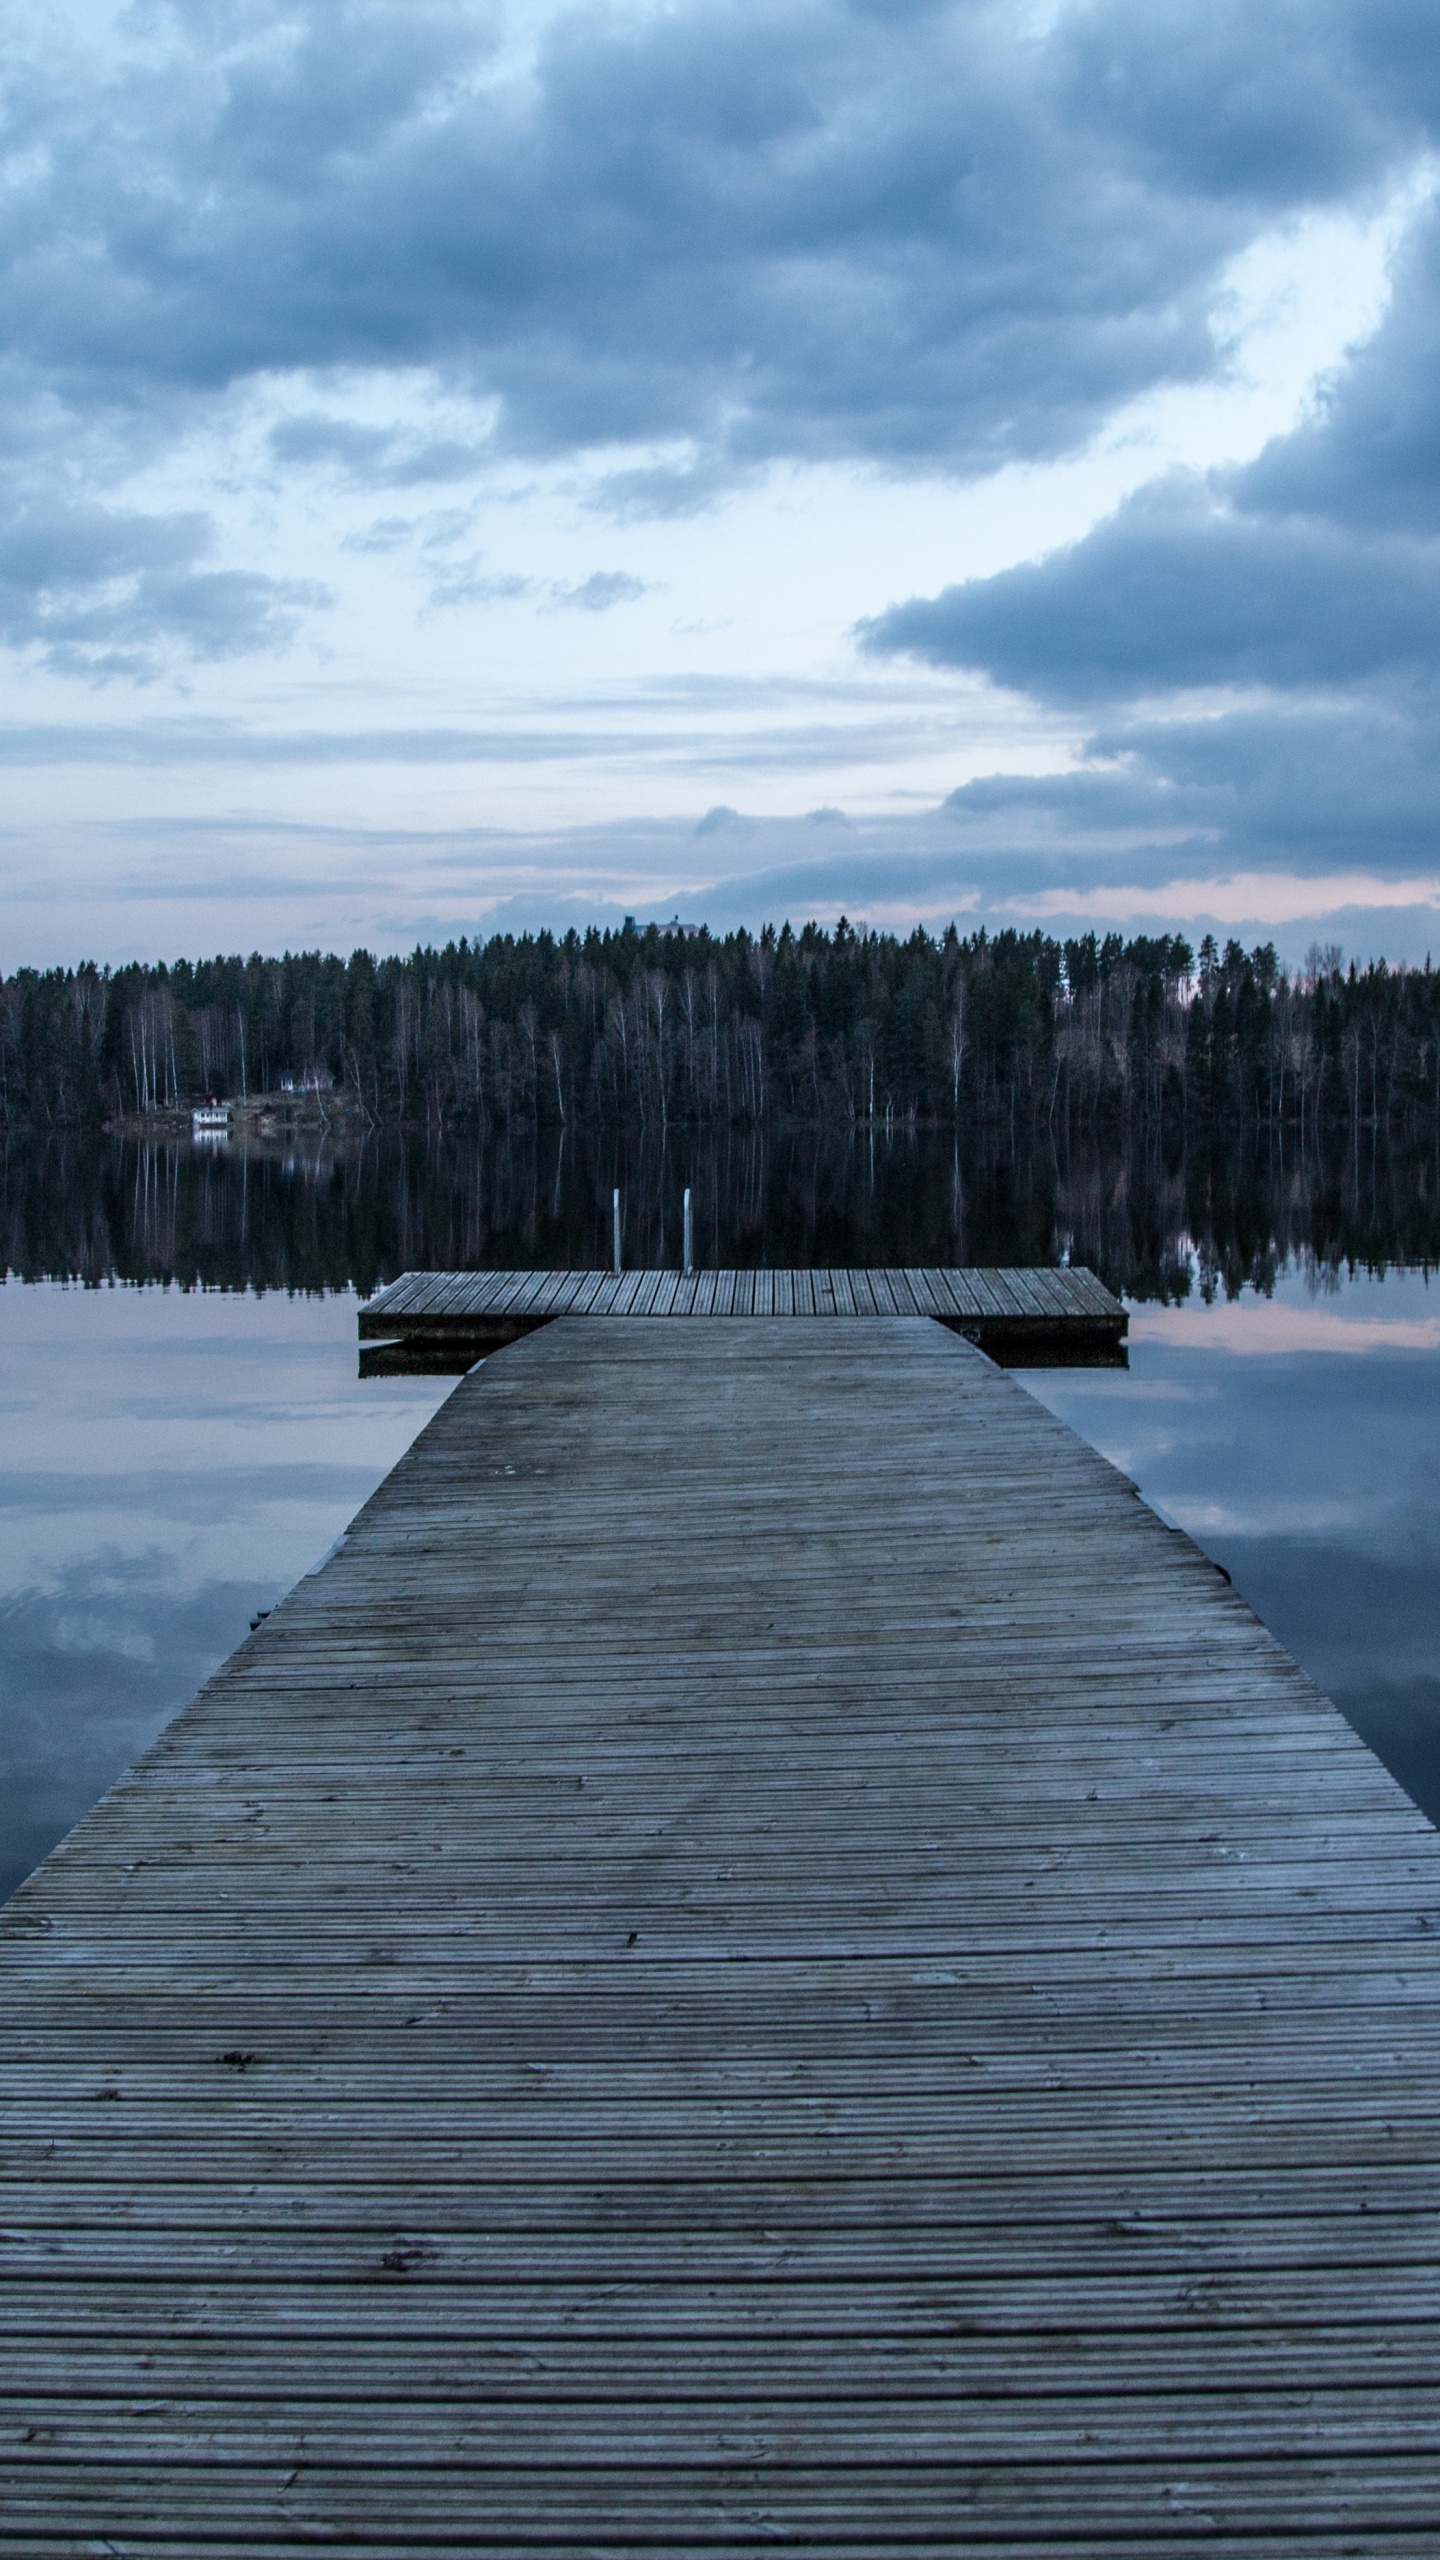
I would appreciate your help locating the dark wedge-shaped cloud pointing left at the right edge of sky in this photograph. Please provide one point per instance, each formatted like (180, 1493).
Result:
(1313, 567)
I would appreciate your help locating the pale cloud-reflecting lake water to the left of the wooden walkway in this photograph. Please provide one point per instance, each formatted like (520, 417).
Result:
(173, 1463)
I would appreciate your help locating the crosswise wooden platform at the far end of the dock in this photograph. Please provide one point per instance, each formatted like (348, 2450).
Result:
(1024, 1320)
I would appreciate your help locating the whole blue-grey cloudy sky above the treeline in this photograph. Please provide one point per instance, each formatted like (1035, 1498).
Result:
(493, 465)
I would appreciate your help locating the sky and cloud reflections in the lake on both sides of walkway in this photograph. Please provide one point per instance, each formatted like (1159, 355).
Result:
(173, 1463)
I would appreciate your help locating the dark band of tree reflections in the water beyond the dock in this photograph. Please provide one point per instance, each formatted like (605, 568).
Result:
(762, 1194)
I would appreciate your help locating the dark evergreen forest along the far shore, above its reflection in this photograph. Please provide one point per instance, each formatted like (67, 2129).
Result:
(665, 1028)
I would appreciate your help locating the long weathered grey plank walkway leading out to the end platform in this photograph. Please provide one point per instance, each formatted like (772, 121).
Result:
(762, 1960)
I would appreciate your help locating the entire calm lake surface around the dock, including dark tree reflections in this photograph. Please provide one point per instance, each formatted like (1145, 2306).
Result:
(173, 1458)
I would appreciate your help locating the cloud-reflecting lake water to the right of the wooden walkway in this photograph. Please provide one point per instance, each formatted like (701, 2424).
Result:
(1311, 1473)
